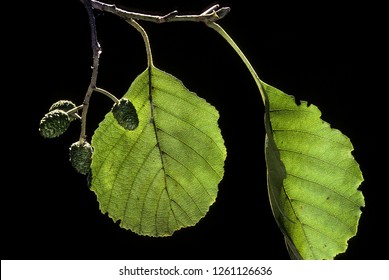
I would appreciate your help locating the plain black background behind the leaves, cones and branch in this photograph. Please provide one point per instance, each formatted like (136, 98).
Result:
(328, 55)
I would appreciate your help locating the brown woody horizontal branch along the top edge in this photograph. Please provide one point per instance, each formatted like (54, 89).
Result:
(211, 14)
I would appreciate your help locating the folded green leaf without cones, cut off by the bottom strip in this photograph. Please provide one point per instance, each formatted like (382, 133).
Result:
(313, 178)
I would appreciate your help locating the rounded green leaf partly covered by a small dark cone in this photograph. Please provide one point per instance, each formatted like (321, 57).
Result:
(164, 175)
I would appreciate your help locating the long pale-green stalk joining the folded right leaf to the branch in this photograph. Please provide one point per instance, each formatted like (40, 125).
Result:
(254, 74)
